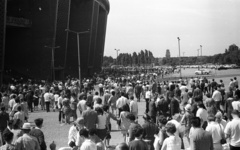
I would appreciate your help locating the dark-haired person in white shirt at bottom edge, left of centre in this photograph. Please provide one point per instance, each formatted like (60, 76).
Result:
(87, 144)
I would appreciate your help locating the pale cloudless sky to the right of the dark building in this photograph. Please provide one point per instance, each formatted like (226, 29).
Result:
(135, 25)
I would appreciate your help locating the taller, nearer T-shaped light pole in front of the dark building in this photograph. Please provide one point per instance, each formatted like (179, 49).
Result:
(79, 59)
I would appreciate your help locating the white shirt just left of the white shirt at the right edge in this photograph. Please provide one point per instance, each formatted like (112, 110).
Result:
(216, 130)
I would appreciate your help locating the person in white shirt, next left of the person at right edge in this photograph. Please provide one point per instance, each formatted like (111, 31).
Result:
(216, 131)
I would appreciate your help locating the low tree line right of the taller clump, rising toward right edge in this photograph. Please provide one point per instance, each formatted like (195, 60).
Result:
(231, 56)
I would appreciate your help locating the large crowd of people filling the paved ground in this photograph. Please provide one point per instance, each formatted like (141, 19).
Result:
(201, 112)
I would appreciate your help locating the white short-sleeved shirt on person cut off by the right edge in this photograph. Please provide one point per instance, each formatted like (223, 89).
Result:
(233, 130)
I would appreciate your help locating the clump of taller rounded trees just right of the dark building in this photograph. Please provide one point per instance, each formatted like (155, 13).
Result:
(144, 57)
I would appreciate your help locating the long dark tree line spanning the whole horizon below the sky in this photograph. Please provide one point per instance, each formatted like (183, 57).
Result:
(145, 57)
